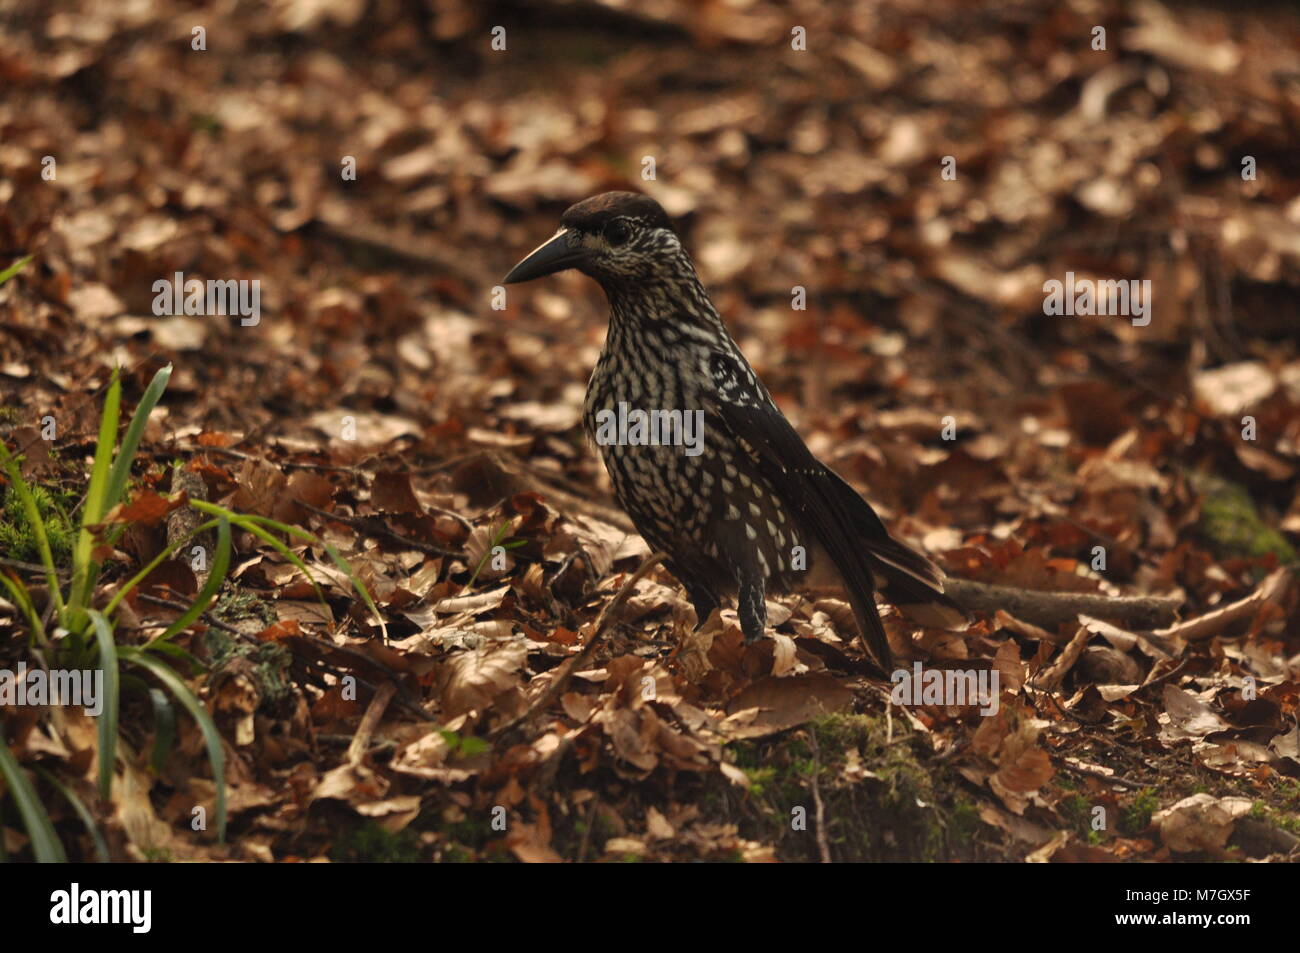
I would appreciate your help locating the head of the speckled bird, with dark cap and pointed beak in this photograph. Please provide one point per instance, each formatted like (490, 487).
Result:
(617, 239)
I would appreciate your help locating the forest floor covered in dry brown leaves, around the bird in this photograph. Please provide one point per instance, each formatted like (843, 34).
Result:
(382, 404)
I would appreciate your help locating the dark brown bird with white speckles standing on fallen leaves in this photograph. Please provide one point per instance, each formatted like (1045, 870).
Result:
(742, 508)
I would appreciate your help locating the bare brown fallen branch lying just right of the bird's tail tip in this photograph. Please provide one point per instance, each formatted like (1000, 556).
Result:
(1052, 609)
